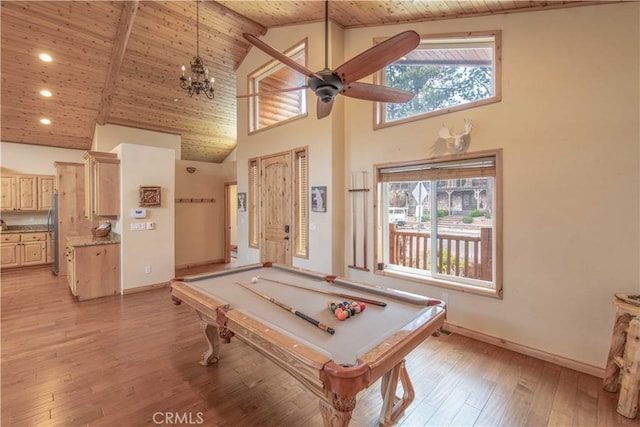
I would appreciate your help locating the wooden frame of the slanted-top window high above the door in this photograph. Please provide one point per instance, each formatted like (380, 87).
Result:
(264, 72)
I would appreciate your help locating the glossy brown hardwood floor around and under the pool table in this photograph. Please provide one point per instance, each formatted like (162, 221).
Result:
(133, 361)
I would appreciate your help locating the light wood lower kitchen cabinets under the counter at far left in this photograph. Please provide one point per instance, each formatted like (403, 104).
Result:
(23, 249)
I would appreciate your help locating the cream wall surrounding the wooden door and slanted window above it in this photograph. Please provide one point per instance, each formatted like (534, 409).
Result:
(318, 135)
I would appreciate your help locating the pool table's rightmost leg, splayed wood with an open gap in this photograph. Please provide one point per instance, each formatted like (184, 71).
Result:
(393, 406)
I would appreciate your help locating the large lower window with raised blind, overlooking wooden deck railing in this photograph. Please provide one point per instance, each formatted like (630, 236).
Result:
(441, 221)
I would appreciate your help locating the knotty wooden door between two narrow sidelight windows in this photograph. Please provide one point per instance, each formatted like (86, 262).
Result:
(276, 213)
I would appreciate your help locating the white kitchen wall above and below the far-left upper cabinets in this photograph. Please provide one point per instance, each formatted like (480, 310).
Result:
(36, 160)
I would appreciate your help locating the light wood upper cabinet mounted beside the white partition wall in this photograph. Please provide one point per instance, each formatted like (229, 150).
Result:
(102, 184)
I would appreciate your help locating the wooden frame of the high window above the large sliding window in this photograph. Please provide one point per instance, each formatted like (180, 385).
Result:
(379, 108)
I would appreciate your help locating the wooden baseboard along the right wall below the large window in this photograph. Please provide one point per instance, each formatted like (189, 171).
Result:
(522, 349)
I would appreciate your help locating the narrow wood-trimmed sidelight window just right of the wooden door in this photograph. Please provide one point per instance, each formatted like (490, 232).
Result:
(301, 207)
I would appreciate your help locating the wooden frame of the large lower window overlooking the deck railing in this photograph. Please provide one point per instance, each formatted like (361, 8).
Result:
(460, 283)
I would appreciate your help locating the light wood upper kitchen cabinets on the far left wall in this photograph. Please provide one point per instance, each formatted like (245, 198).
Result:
(26, 192)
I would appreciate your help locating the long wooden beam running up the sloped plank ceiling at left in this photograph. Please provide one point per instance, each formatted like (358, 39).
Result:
(117, 55)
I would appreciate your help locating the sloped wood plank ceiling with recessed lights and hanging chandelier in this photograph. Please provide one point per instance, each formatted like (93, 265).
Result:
(119, 62)
